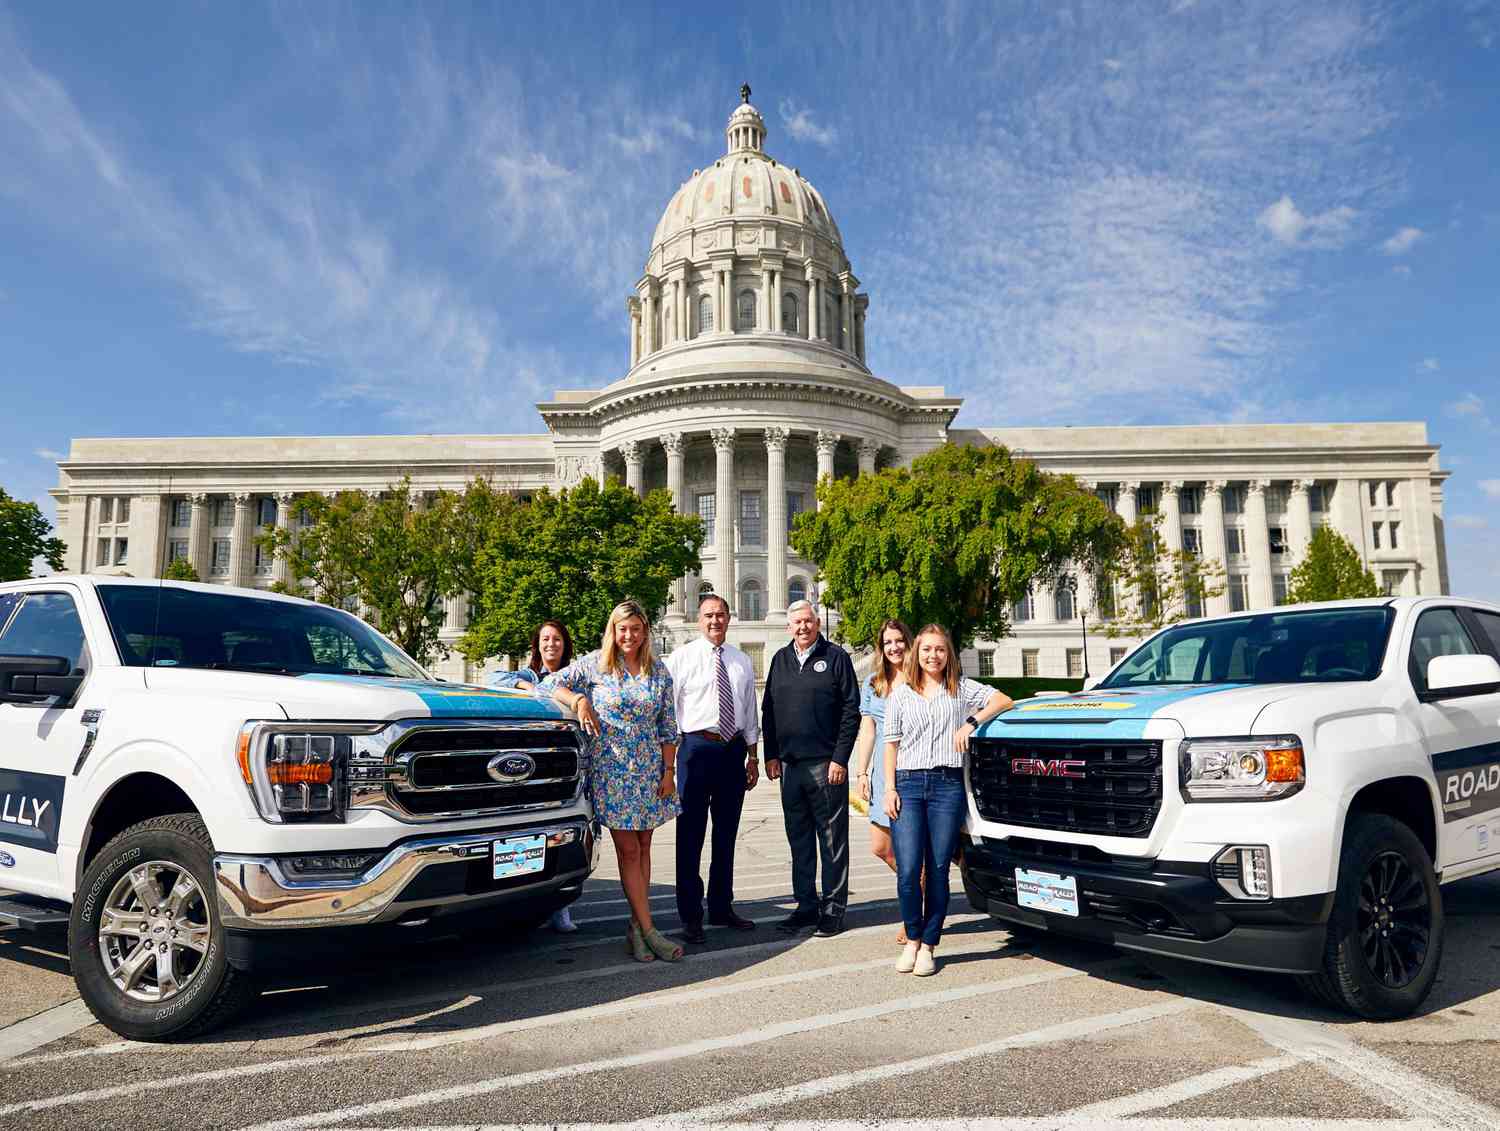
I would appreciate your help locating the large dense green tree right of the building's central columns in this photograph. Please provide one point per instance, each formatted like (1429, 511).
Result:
(958, 539)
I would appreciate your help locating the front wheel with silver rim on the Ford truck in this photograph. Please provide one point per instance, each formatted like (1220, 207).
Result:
(161, 995)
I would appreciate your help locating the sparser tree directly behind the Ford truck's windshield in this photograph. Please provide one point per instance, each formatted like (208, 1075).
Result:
(397, 556)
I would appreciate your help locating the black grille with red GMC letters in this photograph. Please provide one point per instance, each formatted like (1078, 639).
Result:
(1118, 794)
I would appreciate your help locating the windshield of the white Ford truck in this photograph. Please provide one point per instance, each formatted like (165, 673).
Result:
(193, 629)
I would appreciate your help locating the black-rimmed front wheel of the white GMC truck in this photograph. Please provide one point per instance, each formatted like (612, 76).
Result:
(1385, 937)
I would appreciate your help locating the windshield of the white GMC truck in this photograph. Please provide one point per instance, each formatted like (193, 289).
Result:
(1324, 646)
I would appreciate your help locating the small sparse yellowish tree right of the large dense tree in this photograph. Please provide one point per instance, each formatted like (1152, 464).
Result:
(1154, 586)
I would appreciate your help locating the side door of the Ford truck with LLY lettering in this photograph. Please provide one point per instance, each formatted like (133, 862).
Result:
(38, 742)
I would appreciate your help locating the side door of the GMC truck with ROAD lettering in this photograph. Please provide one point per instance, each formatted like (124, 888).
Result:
(1463, 740)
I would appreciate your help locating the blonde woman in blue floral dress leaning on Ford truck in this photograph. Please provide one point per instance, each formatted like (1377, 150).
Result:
(623, 695)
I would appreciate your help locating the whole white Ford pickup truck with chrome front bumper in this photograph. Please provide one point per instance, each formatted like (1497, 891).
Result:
(205, 781)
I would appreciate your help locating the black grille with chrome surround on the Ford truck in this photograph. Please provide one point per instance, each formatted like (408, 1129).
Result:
(440, 770)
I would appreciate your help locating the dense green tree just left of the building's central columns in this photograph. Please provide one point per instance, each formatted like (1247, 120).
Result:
(574, 556)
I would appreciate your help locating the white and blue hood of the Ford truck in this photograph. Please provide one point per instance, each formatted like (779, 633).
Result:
(358, 697)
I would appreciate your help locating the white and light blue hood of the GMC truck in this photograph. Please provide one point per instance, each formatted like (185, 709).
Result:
(1124, 713)
